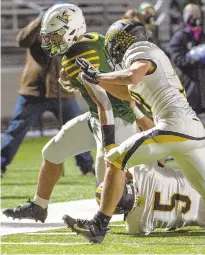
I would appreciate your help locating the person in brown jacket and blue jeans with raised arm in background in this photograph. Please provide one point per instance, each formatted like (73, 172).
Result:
(38, 93)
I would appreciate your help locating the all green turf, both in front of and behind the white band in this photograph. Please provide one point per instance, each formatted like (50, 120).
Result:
(19, 184)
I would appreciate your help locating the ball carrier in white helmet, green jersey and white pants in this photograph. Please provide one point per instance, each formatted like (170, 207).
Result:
(63, 32)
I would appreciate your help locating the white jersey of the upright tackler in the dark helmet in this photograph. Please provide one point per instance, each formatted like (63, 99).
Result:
(160, 91)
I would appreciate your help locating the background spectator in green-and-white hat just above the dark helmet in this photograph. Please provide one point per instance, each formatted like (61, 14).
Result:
(149, 15)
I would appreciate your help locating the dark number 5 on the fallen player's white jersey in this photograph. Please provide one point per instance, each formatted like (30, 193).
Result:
(174, 200)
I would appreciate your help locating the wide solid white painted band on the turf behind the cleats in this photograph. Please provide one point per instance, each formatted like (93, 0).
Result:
(84, 209)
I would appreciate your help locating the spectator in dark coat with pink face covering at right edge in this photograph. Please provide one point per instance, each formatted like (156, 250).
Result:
(190, 68)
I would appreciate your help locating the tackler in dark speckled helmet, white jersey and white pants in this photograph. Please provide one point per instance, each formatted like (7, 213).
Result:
(148, 73)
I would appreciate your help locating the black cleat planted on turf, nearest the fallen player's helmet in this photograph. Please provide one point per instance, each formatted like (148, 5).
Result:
(91, 229)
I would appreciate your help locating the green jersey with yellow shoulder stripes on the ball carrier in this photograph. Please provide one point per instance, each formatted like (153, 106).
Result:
(91, 47)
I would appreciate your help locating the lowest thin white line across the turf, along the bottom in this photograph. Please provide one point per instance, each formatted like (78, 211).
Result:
(87, 243)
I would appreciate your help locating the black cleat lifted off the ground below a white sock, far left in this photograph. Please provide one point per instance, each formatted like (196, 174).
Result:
(27, 211)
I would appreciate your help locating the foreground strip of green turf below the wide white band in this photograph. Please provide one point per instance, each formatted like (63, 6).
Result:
(117, 242)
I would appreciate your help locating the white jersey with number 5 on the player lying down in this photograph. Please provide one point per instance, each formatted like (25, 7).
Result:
(164, 199)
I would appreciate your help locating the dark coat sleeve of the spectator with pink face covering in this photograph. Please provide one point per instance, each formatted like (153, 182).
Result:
(177, 50)
